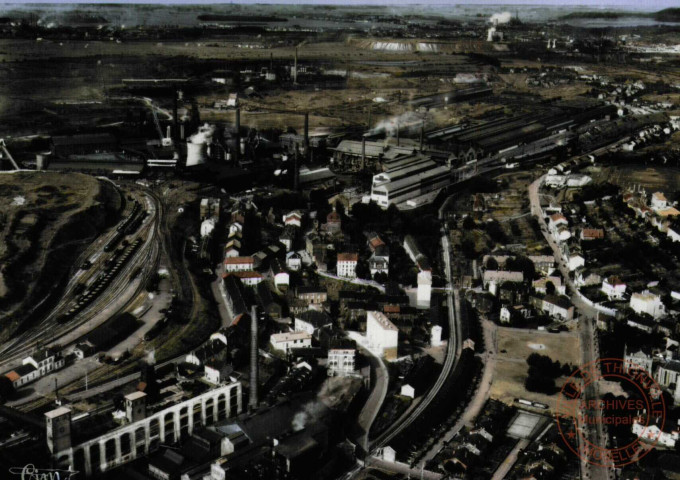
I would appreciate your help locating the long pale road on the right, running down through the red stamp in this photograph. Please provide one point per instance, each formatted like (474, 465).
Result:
(589, 348)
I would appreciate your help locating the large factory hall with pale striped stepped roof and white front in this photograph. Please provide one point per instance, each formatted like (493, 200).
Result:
(407, 179)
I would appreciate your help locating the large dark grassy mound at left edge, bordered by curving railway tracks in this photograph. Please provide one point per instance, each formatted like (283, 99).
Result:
(47, 219)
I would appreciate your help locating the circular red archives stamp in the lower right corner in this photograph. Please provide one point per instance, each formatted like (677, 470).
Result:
(586, 415)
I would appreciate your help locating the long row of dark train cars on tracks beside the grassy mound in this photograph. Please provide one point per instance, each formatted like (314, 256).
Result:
(112, 266)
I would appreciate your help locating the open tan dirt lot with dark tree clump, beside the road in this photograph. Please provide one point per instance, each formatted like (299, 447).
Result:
(511, 367)
